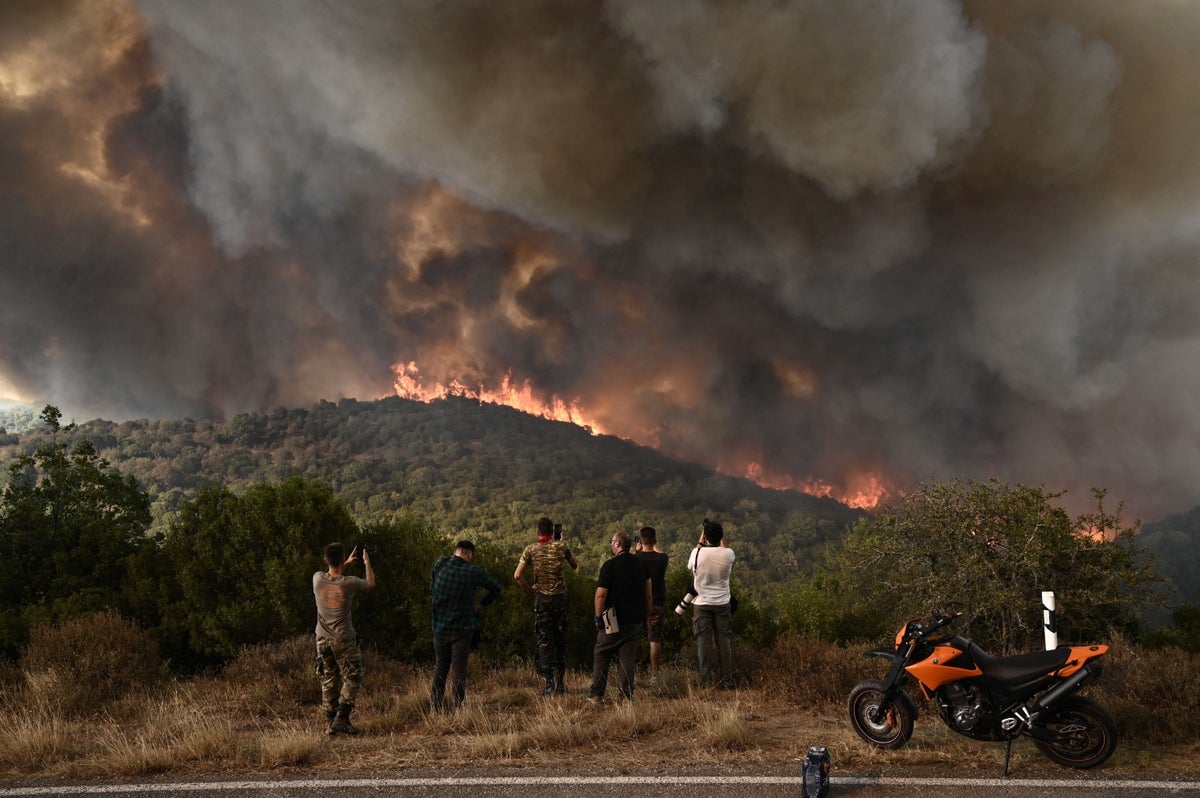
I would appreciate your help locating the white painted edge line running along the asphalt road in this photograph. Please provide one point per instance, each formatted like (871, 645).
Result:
(579, 782)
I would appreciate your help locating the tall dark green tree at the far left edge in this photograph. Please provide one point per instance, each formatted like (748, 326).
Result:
(69, 526)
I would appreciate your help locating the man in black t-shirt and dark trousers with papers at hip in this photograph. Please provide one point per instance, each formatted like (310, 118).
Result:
(623, 586)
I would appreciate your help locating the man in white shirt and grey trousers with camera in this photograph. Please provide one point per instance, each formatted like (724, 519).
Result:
(711, 563)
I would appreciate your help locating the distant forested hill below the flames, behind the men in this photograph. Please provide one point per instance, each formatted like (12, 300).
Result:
(483, 471)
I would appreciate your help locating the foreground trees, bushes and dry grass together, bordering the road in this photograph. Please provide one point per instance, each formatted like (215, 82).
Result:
(129, 647)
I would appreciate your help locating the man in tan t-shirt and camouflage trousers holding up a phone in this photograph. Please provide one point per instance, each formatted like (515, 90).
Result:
(339, 661)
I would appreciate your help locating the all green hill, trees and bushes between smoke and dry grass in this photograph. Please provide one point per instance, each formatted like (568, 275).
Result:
(207, 533)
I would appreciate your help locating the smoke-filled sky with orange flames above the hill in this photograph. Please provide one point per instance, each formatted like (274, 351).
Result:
(841, 245)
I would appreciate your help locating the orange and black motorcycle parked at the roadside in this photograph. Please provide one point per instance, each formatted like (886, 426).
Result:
(988, 698)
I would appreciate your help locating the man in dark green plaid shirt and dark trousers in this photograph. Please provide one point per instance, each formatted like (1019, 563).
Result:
(454, 584)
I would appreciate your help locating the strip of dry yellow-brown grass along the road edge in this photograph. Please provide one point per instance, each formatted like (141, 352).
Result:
(266, 719)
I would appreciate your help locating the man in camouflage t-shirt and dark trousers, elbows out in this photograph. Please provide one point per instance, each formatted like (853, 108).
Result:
(550, 607)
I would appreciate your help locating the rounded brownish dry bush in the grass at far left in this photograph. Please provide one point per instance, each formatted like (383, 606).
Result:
(87, 665)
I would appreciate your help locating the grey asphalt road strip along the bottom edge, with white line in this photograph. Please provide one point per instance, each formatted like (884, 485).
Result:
(682, 785)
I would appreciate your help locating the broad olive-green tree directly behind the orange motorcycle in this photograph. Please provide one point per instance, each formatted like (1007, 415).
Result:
(987, 550)
